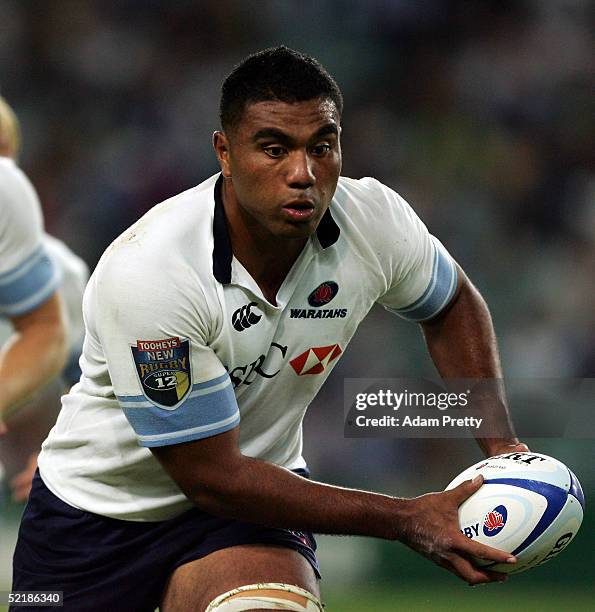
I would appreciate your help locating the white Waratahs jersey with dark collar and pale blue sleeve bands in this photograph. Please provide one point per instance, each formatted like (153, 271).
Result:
(181, 343)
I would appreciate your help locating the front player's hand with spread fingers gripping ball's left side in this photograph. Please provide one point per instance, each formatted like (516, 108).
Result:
(430, 526)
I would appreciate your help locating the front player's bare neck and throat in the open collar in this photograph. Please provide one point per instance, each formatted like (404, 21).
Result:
(267, 258)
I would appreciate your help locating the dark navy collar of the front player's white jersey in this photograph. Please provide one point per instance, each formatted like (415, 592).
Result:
(327, 233)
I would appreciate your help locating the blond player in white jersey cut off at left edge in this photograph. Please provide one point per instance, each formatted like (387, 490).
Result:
(29, 280)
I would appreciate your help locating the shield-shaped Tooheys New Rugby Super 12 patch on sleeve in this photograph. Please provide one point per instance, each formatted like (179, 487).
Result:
(163, 370)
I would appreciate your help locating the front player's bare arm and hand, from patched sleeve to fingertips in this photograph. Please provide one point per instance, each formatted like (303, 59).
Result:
(219, 479)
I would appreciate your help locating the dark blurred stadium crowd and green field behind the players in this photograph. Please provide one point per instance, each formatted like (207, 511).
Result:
(479, 113)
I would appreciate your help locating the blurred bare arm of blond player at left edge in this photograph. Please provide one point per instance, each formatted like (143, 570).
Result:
(33, 355)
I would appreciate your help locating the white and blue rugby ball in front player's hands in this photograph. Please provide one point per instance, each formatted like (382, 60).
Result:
(530, 505)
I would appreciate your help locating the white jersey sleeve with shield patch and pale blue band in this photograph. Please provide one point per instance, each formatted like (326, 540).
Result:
(154, 337)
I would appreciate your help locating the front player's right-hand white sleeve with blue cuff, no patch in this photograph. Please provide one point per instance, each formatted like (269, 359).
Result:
(422, 277)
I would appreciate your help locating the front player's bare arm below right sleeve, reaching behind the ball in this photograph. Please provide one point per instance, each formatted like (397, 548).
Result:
(462, 343)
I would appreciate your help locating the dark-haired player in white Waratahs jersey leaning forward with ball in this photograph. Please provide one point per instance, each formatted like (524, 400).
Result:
(174, 474)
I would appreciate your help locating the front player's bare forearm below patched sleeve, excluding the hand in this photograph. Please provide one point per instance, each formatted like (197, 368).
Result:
(260, 492)
